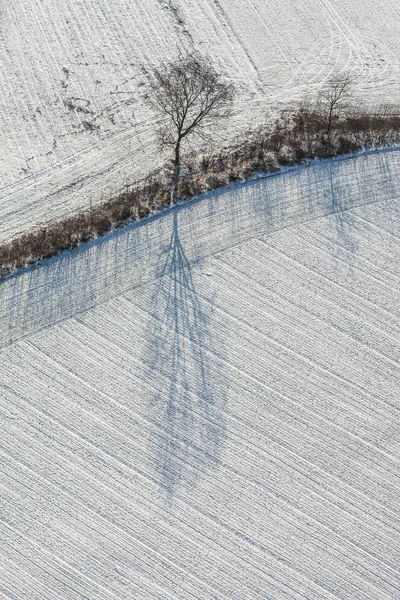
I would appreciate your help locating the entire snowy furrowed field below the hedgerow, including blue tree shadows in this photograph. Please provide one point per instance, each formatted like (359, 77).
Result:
(224, 424)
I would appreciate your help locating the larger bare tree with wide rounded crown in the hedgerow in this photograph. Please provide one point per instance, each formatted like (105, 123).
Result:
(190, 97)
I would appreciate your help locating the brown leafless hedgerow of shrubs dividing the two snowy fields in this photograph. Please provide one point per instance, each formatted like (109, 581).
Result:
(290, 139)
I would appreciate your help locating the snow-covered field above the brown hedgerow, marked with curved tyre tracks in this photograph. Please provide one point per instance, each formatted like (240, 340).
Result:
(73, 127)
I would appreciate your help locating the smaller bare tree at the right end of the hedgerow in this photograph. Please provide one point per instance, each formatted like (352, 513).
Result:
(334, 97)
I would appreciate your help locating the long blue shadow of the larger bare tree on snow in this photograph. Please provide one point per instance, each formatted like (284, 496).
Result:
(188, 406)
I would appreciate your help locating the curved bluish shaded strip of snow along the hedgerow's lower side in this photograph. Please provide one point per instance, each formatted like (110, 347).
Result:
(76, 281)
